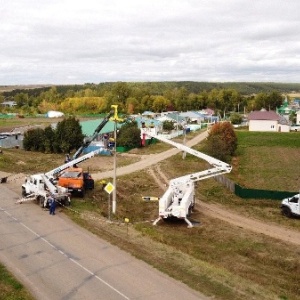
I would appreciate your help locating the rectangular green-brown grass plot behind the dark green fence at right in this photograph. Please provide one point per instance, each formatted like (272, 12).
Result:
(268, 161)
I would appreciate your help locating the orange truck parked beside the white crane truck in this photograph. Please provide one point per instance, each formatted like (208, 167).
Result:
(76, 180)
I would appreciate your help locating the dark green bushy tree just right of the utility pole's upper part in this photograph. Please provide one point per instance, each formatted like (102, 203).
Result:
(129, 135)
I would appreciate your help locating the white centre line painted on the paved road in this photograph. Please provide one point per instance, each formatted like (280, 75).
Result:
(64, 254)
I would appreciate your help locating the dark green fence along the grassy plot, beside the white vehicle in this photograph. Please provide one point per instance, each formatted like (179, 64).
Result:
(261, 194)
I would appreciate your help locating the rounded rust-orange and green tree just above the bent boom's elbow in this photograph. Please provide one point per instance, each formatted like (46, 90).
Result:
(222, 141)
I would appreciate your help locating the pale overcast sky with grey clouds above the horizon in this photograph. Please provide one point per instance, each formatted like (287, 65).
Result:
(93, 41)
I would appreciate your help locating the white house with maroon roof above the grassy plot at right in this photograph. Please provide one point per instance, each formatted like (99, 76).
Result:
(264, 120)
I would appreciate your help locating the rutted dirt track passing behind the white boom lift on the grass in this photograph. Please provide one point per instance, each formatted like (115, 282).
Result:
(216, 211)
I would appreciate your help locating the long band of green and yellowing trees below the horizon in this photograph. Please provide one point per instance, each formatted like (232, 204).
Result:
(156, 96)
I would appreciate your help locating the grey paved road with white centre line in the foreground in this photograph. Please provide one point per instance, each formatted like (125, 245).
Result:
(56, 259)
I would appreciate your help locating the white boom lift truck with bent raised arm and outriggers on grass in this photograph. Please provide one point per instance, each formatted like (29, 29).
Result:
(179, 199)
